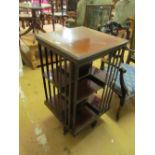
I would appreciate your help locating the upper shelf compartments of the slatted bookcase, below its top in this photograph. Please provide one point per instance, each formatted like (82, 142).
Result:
(60, 76)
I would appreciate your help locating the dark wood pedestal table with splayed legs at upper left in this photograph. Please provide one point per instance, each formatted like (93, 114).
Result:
(35, 23)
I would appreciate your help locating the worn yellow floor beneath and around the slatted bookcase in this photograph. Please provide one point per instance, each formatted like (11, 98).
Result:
(41, 133)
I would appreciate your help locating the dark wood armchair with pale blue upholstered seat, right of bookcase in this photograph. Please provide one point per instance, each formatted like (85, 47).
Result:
(125, 82)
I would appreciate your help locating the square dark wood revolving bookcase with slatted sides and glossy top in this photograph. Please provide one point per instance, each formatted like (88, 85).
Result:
(70, 80)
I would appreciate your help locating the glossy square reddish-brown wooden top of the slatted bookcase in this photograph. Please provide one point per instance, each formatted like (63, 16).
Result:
(80, 42)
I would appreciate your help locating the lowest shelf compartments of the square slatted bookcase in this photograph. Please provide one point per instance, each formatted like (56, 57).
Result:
(86, 113)
